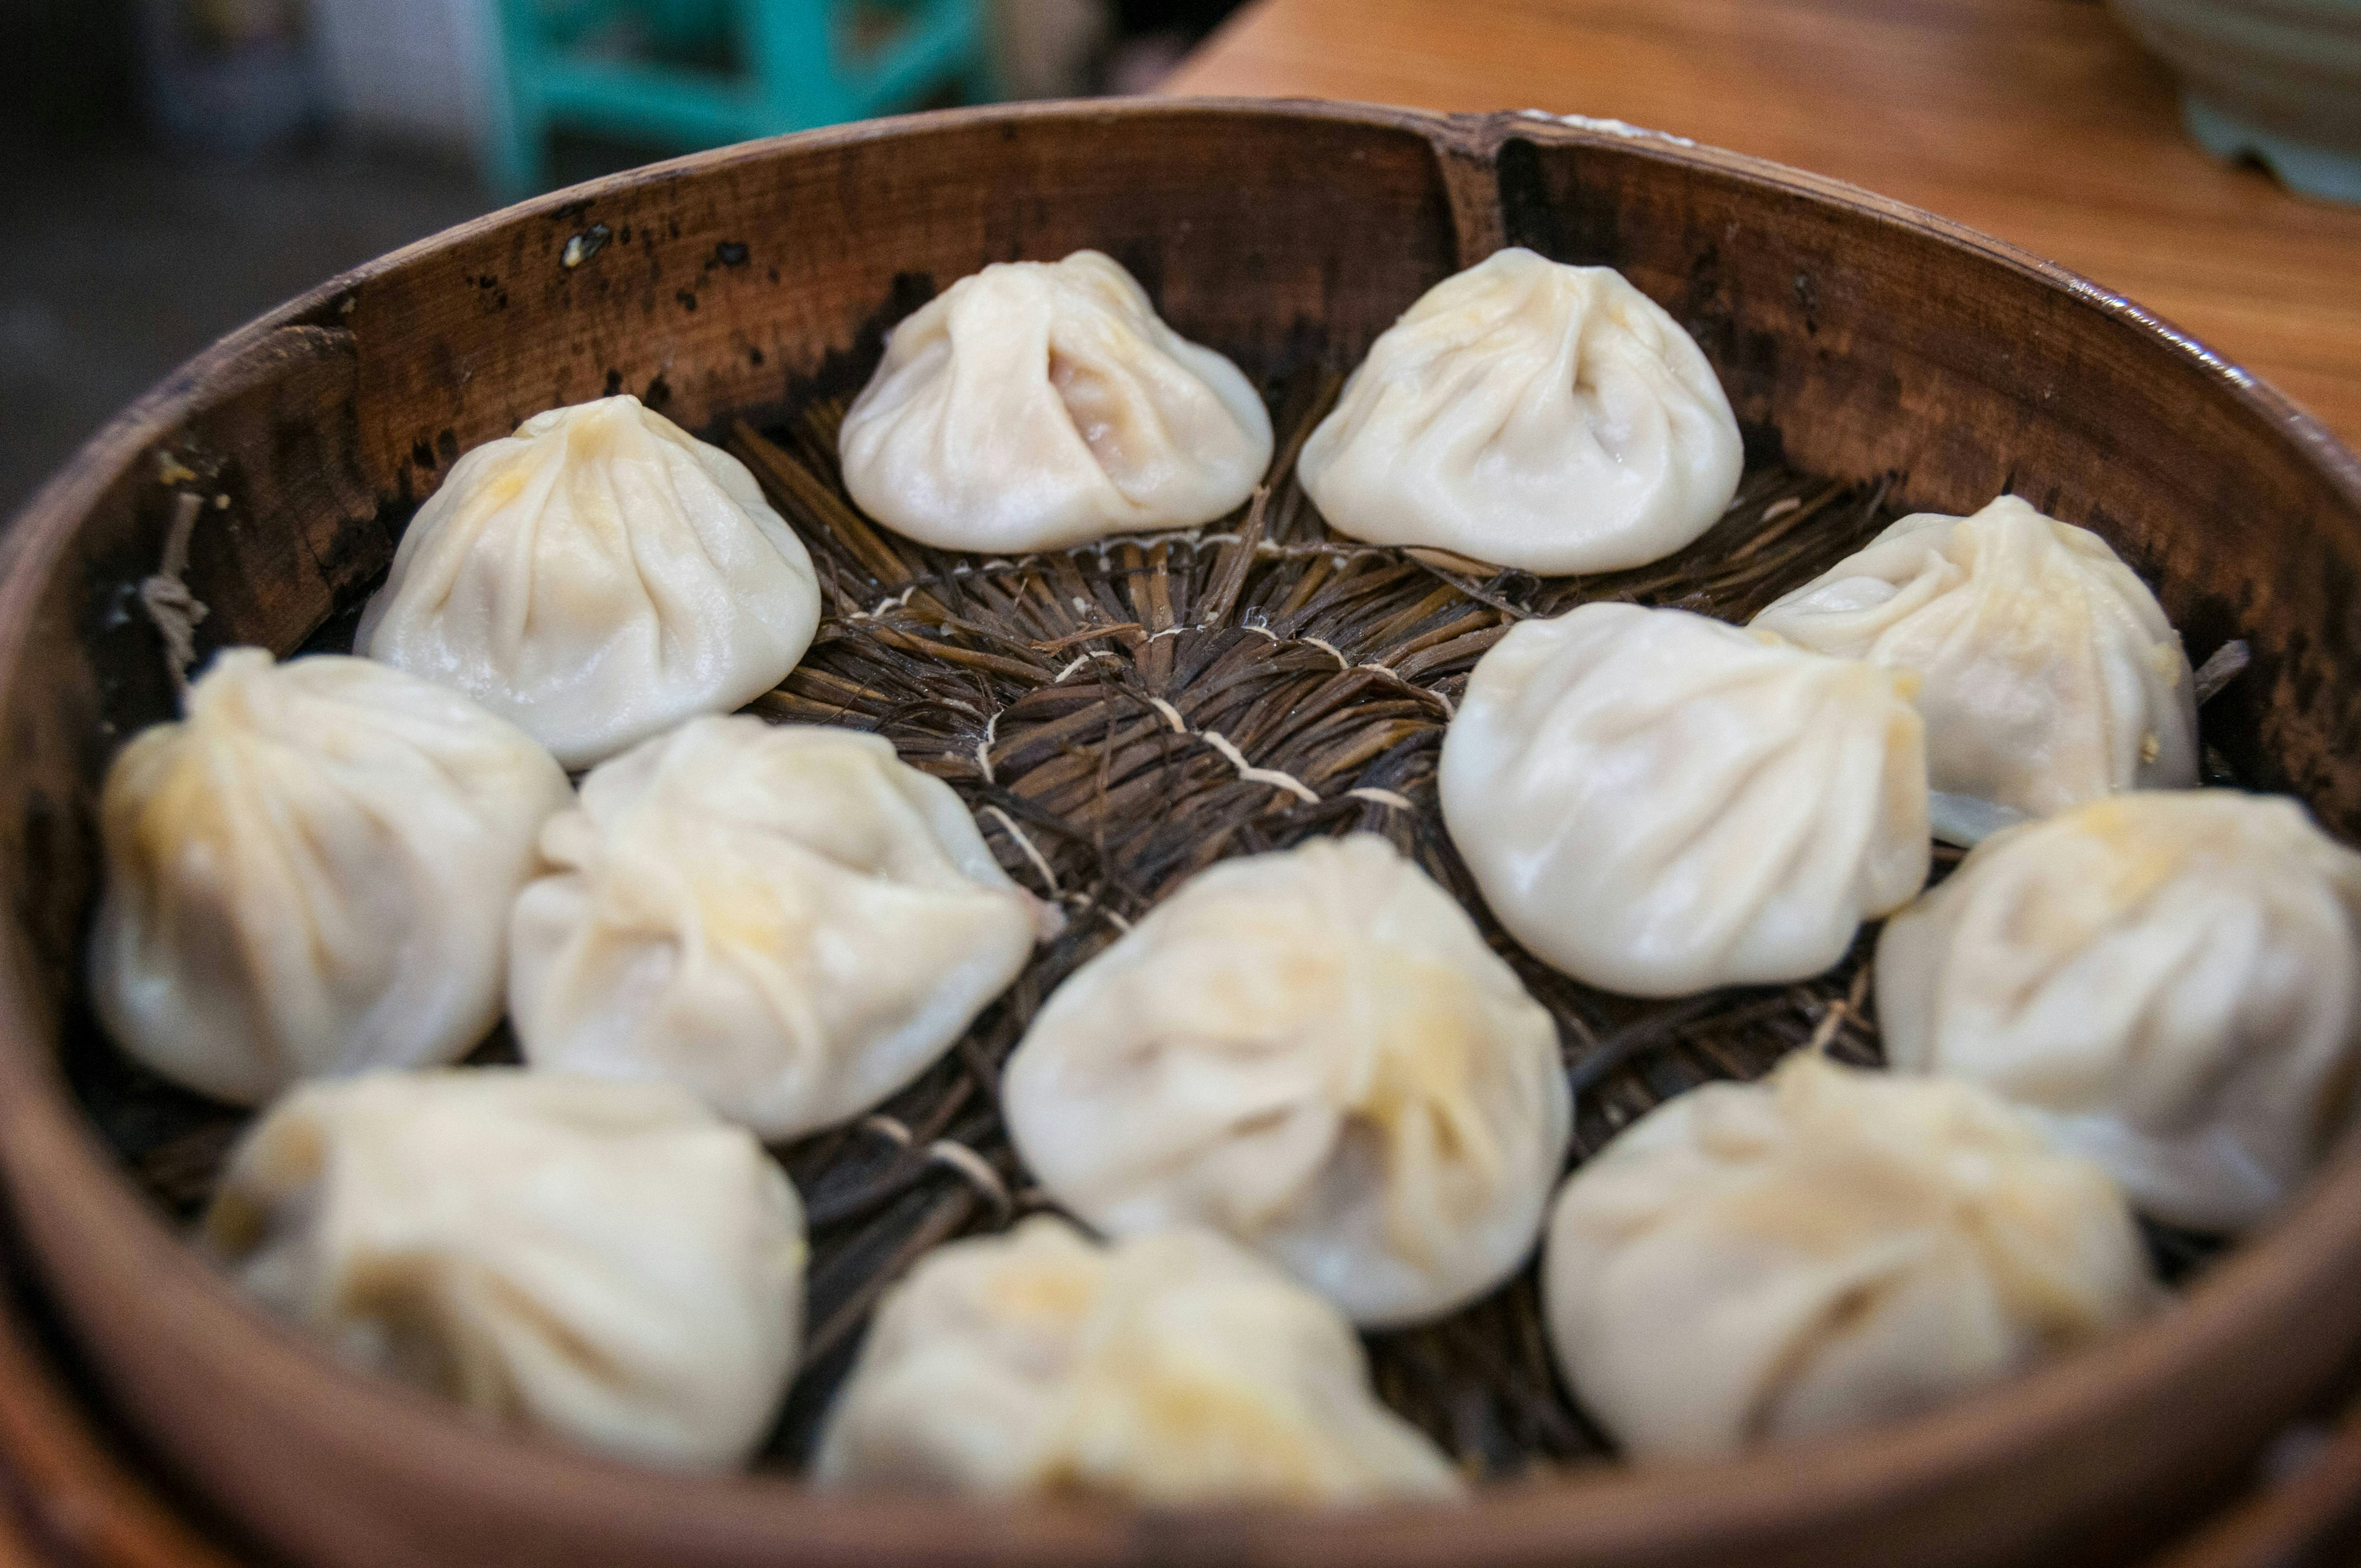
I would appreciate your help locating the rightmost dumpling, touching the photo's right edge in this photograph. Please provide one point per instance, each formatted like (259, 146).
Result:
(2169, 984)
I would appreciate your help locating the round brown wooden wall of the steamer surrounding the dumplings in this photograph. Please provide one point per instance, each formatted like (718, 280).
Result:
(1859, 339)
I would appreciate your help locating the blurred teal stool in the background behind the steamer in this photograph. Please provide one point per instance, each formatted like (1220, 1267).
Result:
(794, 72)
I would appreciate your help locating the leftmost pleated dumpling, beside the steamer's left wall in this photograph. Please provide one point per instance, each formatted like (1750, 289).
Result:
(310, 875)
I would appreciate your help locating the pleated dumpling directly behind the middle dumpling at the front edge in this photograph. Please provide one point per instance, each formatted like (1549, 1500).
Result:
(1316, 1054)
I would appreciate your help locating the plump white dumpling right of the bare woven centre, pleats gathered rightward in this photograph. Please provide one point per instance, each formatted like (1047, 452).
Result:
(1663, 804)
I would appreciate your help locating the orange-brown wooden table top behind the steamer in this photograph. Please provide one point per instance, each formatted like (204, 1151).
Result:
(2039, 122)
